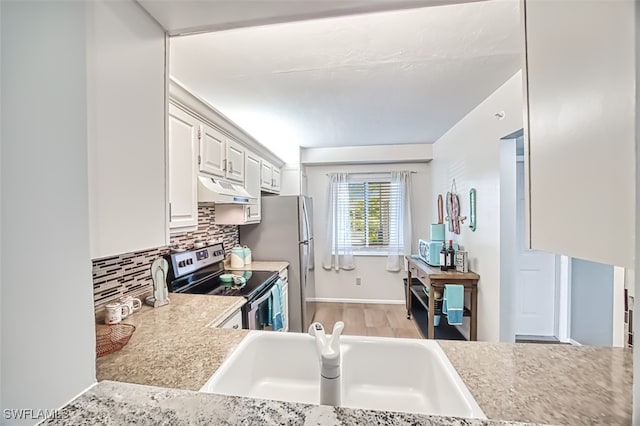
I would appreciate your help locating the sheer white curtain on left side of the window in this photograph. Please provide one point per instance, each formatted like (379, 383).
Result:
(338, 252)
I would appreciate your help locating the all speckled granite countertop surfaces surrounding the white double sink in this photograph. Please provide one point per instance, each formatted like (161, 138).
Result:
(173, 348)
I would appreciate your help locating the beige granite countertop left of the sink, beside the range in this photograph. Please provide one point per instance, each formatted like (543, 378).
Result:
(175, 345)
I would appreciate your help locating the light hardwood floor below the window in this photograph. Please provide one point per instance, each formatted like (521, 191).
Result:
(367, 319)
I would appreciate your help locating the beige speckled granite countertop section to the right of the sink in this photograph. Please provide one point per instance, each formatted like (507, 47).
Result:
(559, 384)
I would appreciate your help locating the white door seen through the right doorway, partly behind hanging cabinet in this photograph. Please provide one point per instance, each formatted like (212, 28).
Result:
(535, 278)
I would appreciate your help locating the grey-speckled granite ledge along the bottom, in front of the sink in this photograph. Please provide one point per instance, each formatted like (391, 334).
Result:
(113, 403)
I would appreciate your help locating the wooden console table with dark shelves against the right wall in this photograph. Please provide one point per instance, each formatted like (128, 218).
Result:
(433, 278)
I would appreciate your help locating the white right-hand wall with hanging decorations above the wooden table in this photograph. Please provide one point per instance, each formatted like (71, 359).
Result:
(470, 153)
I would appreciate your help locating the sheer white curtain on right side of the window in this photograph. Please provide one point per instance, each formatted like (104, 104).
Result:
(399, 223)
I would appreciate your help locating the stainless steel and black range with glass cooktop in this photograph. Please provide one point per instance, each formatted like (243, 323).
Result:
(198, 271)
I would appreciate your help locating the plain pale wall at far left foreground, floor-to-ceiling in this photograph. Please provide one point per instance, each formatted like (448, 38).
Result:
(48, 339)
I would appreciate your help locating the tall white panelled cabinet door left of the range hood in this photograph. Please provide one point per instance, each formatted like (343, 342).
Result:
(183, 146)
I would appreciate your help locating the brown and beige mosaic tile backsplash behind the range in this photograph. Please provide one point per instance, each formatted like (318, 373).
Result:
(130, 273)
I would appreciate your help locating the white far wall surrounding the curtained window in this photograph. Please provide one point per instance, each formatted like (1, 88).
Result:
(377, 283)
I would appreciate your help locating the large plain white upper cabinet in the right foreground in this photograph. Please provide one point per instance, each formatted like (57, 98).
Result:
(580, 79)
